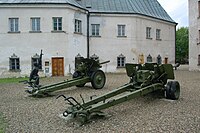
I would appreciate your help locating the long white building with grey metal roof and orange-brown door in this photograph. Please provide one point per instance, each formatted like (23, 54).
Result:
(120, 31)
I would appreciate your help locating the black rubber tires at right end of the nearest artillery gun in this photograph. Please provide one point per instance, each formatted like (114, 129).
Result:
(173, 90)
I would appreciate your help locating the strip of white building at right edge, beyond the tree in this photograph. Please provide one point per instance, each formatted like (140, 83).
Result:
(194, 35)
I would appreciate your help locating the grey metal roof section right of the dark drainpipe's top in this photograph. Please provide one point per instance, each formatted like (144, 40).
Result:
(150, 8)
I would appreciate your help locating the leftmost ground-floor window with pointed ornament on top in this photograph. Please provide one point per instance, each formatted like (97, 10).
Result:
(14, 63)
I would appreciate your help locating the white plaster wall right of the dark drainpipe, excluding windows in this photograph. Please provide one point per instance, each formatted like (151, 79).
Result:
(109, 46)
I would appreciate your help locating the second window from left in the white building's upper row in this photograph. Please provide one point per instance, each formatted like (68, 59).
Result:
(35, 24)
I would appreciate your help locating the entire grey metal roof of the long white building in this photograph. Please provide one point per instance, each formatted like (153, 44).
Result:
(151, 8)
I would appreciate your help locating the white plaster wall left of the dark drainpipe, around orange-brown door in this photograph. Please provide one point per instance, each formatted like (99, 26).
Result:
(24, 44)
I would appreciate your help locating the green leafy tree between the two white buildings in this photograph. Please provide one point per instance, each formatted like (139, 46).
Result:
(182, 45)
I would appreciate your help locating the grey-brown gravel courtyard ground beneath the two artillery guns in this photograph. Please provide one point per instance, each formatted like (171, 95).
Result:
(145, 114)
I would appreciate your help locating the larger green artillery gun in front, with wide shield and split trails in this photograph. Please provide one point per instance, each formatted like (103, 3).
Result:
(144, 79)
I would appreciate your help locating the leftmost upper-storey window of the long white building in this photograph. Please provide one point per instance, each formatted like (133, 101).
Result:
(14, 24)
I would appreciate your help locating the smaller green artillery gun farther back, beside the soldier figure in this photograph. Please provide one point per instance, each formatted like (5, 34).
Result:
(86, 70)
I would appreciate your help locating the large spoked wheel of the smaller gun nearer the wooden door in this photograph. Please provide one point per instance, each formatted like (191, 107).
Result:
(98, 79)
